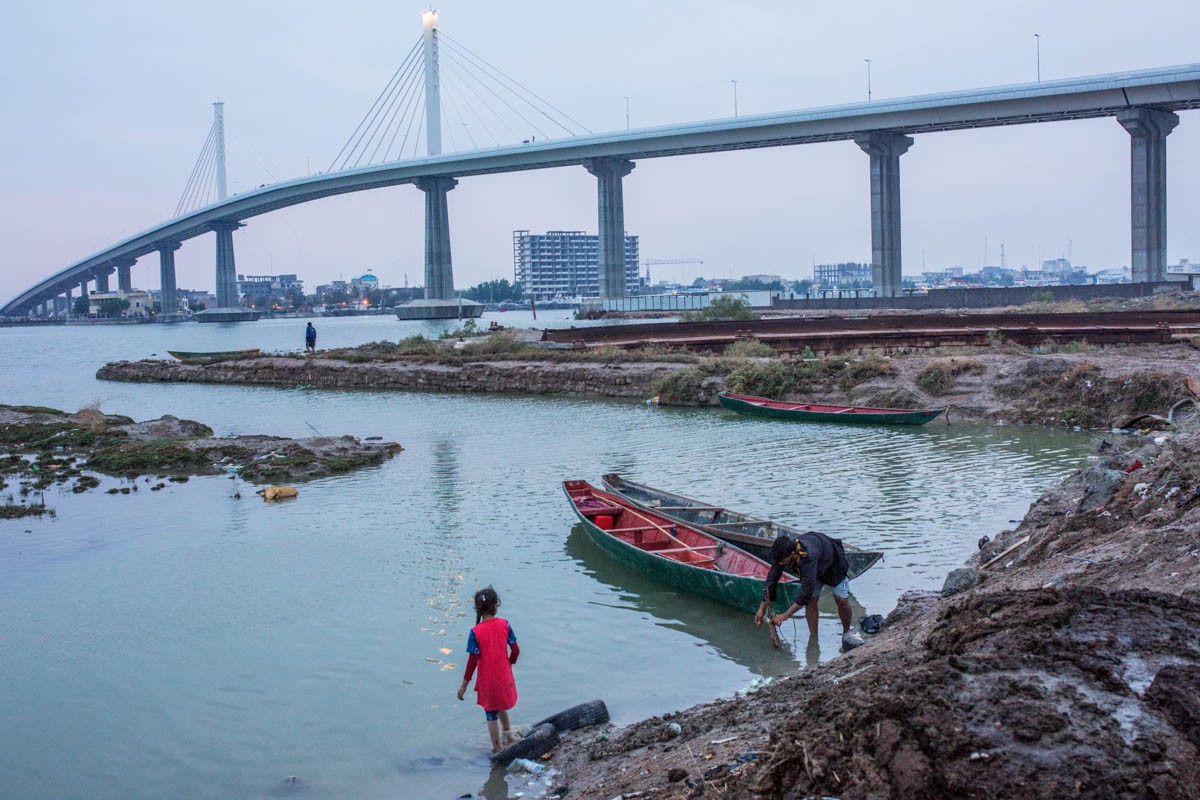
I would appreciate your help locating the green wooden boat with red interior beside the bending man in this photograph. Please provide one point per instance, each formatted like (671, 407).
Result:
(673, 552)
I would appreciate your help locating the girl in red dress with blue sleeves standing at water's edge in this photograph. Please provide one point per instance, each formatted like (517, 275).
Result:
(493, 647)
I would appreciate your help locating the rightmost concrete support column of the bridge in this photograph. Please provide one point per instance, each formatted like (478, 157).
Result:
(1148, 147)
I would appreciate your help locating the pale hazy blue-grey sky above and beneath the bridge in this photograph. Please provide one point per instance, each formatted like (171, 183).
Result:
(109, 106)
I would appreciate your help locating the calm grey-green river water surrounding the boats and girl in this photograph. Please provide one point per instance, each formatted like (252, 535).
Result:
(196, 643)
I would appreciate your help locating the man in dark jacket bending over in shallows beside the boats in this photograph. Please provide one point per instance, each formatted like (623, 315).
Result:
(815, 560)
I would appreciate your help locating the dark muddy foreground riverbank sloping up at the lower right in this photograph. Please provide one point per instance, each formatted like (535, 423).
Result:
(1065, 661)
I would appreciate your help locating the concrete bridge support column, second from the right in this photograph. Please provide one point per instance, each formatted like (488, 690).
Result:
(885, 151)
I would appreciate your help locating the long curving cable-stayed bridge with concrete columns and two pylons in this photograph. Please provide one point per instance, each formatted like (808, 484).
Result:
(409, 118)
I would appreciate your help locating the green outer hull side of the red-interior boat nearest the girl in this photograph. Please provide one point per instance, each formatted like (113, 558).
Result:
(739, 592)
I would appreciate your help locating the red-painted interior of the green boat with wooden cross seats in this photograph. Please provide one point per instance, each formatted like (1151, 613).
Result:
(662, 537)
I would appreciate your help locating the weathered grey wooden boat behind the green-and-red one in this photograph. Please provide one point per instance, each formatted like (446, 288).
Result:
(752, 534)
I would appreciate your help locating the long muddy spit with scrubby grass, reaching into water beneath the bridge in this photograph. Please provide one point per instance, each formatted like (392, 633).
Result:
(1070, 387)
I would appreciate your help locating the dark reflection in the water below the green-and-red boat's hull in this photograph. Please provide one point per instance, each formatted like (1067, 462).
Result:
(733, 634)
